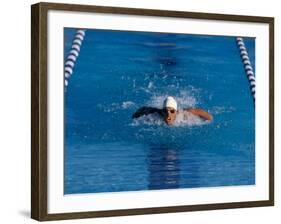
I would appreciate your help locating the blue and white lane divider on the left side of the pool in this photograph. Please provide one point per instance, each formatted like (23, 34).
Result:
(73, 55)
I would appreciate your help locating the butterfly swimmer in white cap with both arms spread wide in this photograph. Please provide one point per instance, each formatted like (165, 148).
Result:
(170, 111)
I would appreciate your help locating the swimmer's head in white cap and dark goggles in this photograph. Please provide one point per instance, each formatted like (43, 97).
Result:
(170, 110)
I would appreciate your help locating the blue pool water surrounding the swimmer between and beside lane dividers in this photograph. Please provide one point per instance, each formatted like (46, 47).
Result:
(118, 72)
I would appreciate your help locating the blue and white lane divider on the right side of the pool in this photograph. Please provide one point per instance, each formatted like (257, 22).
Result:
(247, 65)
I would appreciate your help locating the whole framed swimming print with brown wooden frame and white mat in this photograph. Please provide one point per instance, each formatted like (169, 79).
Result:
(139, 111)
